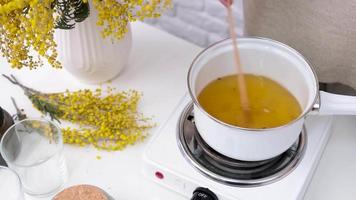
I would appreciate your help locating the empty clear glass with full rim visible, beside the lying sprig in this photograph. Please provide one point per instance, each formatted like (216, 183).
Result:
(34, 149)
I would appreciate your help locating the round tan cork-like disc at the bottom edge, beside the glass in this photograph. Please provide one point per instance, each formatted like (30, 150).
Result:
(82, 192)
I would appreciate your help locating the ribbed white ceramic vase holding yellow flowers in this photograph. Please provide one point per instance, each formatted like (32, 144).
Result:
(86, 55)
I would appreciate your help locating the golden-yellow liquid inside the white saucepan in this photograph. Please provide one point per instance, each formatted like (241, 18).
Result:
(270, 104)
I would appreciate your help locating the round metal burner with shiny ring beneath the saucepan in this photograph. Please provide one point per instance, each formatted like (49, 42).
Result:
(231, 171)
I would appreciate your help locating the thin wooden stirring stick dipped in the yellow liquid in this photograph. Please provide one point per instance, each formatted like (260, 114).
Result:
(240, 75)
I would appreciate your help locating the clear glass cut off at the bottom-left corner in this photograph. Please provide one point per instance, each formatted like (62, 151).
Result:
(10, 185)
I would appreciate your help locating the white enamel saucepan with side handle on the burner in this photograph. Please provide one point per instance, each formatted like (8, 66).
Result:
(278, 62)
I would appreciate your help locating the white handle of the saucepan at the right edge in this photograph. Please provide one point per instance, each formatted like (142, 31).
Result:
(335, 104)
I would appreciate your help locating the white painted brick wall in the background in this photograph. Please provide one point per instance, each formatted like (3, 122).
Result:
(199, 21)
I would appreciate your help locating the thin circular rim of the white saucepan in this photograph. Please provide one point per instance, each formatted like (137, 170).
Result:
(306, 111)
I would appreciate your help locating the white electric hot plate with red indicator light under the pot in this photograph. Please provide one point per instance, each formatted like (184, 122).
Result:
(177, 158)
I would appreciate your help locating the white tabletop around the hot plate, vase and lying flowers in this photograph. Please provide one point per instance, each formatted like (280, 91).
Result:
(158, 68)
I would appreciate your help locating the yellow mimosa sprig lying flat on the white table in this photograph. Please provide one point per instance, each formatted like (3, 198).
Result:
(108, 119)
